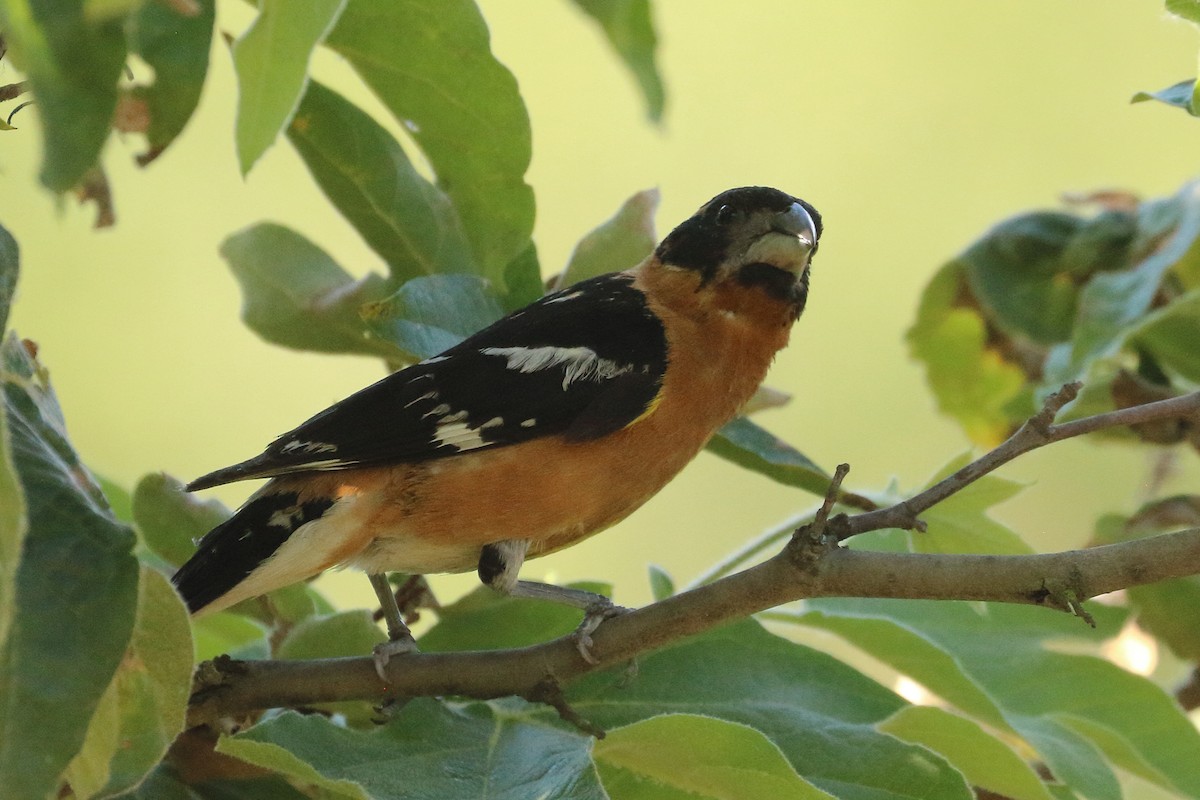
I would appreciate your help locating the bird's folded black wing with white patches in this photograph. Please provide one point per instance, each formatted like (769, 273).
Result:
(581, 363)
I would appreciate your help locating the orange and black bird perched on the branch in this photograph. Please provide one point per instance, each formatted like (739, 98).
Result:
(549, 426)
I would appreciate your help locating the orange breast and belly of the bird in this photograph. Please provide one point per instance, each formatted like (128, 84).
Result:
(556, 492)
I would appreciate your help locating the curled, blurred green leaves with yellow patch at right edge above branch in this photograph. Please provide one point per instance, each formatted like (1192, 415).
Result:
(1046, 298)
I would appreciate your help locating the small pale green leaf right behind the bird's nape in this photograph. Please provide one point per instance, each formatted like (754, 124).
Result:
(619, 244)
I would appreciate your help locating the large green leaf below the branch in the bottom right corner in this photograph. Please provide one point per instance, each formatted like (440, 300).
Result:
(995, 649)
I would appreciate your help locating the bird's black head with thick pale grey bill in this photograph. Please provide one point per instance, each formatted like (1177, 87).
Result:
(749, 249)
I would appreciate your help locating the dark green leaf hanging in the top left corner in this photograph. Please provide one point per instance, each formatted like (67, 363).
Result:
(74, 61)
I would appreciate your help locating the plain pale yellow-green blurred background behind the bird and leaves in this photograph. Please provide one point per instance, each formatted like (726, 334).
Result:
(913, 127)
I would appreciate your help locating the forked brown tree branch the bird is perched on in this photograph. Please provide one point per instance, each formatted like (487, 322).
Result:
(813, 564)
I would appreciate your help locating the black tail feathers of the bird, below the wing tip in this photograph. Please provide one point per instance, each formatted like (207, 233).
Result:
(235, 549)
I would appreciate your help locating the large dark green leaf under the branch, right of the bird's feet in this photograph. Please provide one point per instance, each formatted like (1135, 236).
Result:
(818, 711)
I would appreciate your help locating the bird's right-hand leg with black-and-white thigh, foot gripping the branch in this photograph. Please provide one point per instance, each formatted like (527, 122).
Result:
(499, 567)
